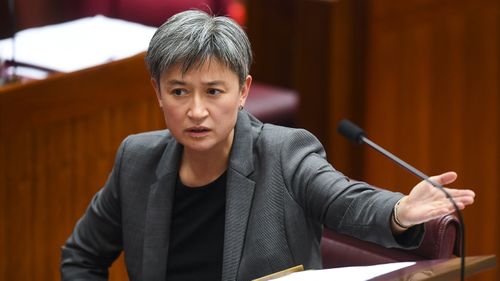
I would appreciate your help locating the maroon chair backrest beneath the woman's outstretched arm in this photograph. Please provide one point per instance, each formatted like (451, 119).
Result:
(441, 240)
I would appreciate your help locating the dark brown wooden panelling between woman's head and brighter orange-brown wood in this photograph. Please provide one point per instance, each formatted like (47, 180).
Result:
(319, 52)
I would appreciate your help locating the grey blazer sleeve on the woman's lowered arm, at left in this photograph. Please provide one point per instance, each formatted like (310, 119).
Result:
(96, 240)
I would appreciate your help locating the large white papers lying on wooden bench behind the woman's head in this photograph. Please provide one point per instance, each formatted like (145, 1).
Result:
(78, 44)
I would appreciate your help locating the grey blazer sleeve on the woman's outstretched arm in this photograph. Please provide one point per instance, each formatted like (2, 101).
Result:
(330, 198)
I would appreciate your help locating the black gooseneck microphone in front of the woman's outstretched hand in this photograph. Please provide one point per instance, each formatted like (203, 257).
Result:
(357, 135)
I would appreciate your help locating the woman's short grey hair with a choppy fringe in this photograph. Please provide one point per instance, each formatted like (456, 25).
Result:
(192, 37)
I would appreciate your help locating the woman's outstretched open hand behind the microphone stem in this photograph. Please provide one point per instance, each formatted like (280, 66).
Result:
(426, 202)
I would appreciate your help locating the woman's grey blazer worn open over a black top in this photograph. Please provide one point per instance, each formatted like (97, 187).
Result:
(280, 193)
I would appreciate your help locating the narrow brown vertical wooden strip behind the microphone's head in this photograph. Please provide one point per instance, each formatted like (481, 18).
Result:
(346, 95)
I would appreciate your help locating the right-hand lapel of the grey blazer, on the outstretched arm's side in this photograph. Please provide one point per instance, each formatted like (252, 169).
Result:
(239, 196)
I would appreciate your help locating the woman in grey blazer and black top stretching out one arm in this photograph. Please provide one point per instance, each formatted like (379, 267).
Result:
(219, 195)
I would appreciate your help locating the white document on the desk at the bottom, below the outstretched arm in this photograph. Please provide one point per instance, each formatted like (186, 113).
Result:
(353, 273)
